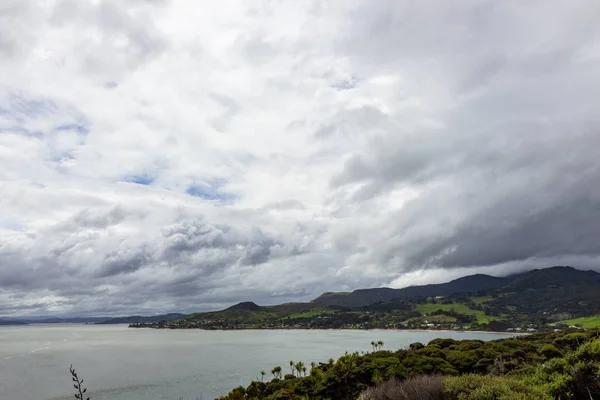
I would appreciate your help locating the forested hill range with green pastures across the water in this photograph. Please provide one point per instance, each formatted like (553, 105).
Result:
(544, 299)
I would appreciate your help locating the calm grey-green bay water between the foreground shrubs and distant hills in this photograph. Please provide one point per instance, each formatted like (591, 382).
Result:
(120, 363)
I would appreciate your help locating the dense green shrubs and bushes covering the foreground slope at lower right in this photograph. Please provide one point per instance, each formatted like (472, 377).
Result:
(542, 366)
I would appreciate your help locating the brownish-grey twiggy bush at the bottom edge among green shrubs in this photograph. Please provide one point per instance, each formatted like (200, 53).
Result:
(422, 387)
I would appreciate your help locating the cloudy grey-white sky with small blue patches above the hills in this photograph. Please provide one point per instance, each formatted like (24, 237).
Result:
(161, 156)
